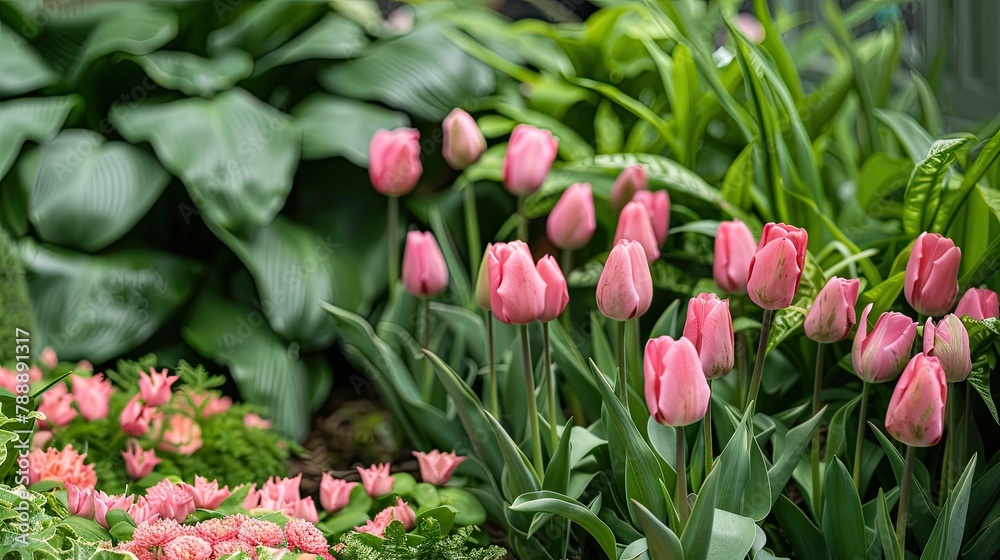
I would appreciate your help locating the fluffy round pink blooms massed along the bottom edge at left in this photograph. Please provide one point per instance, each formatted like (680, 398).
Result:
(214, 538)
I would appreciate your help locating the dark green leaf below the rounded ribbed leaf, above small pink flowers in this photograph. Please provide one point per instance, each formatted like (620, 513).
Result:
(99, 307)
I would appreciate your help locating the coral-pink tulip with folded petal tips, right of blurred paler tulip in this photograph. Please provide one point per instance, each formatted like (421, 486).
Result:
(776, 268)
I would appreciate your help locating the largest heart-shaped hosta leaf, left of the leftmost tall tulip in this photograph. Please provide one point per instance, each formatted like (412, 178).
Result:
(235, 154)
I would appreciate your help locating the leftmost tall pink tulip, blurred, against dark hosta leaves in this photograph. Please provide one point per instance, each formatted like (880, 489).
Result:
(394, 161)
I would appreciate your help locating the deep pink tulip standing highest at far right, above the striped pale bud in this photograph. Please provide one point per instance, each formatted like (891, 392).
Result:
(932, 274)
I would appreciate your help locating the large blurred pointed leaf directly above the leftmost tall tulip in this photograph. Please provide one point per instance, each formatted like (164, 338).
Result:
(422, 73)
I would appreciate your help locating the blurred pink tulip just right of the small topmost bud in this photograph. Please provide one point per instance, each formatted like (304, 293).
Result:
(529, 158)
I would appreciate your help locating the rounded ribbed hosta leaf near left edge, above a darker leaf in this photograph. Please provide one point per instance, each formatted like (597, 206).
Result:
(78, 180)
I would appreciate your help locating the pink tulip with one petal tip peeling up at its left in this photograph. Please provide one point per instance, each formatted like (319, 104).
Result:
(879, 356)
